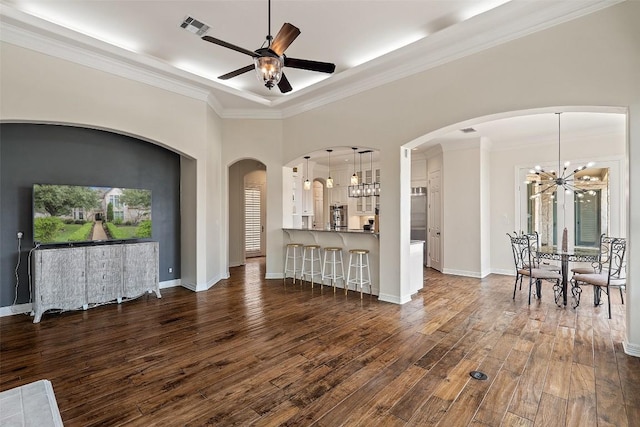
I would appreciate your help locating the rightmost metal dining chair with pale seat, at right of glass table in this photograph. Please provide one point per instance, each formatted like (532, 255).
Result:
(611, 274)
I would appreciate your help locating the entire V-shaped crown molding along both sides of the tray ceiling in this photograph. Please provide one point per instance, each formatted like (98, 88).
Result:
(508, 22)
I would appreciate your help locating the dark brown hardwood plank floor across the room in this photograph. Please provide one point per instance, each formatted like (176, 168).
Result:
(254, 352)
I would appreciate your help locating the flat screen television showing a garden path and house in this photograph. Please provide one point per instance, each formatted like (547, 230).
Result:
(70, 214)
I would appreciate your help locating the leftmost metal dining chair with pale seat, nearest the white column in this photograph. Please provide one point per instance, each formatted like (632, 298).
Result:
(524, 260)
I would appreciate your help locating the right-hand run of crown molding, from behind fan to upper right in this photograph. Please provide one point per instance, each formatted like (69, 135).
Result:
(466, 38)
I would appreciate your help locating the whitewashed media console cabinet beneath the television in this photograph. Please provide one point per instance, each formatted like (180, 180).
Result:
(68, 278)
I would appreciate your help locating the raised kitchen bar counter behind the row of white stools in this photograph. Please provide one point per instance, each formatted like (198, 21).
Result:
(346, 239)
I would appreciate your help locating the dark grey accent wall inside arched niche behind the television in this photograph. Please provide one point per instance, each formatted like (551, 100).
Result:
(52, 154)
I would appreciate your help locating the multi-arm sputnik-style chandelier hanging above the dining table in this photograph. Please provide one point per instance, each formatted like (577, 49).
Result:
(549, 182)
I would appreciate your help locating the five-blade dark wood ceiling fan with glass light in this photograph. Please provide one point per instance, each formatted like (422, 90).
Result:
(269, 60)
